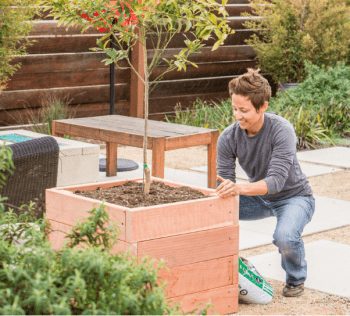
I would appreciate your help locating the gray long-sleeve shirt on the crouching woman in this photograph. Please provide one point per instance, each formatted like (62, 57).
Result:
(269, 155)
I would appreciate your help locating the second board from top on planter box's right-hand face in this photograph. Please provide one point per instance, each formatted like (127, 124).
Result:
(193, 247)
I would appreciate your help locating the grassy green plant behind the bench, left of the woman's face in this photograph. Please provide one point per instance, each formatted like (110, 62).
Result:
(204, 114)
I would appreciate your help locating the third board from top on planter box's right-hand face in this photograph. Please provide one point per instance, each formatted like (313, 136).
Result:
(199, 276)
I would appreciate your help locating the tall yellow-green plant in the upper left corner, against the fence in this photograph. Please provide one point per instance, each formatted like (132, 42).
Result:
(14, 27)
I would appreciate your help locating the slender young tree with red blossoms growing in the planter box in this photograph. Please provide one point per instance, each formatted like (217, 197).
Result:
(148, 23)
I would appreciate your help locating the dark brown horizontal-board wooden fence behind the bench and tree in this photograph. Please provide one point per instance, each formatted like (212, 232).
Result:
(60, 65)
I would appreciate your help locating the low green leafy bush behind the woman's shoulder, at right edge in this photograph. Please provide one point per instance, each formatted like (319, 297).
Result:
(324, 101)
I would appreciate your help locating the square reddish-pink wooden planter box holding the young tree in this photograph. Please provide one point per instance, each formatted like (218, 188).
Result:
(197, 239)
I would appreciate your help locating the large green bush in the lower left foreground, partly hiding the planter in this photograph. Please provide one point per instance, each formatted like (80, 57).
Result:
(34, 279)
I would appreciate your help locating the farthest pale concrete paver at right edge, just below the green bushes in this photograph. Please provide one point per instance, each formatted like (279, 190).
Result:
(334, 156)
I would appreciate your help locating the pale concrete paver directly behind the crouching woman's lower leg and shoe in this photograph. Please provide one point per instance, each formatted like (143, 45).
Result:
(327, 268)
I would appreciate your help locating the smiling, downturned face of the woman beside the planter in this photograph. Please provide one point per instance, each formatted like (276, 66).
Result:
(245, 113)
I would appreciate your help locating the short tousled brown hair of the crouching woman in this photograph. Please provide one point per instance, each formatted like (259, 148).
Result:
(252, 85)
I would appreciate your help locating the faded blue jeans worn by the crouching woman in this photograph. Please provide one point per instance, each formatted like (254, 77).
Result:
(292, 215)
